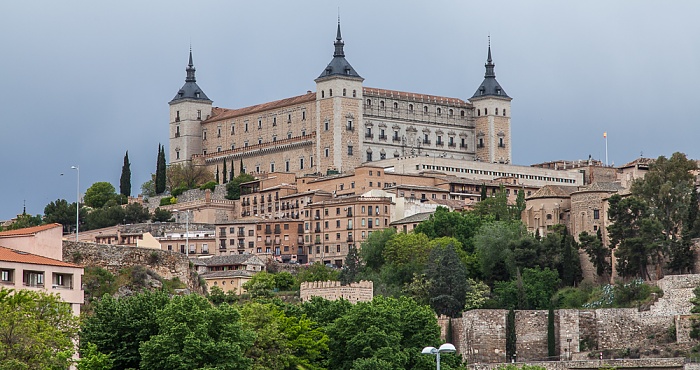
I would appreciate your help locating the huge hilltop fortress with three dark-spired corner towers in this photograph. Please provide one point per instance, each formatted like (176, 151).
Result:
(339, 126)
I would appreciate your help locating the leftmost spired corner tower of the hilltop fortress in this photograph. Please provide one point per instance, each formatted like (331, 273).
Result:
(187, 111)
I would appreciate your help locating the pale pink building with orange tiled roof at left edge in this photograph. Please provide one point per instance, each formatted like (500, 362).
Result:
(31, 258)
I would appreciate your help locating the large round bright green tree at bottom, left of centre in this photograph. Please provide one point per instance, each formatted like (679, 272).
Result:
(193, 334)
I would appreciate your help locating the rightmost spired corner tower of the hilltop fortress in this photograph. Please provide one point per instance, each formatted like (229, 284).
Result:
(492, 123)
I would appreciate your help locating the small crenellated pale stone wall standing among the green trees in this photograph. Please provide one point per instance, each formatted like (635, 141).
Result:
(332, 290)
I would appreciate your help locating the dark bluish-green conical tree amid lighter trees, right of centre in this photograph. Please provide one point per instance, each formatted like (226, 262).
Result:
(448, 281)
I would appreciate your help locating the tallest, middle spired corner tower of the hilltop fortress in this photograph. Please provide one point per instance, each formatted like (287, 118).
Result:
(339, 114)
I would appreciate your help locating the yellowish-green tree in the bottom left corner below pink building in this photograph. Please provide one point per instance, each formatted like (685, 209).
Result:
(36, 330)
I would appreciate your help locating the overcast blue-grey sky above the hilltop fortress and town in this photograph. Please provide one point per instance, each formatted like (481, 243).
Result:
(82, 82)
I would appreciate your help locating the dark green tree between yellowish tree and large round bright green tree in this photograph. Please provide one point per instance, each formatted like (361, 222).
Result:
(119, 326)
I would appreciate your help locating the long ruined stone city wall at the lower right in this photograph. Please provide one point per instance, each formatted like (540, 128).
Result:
(480, 335)
